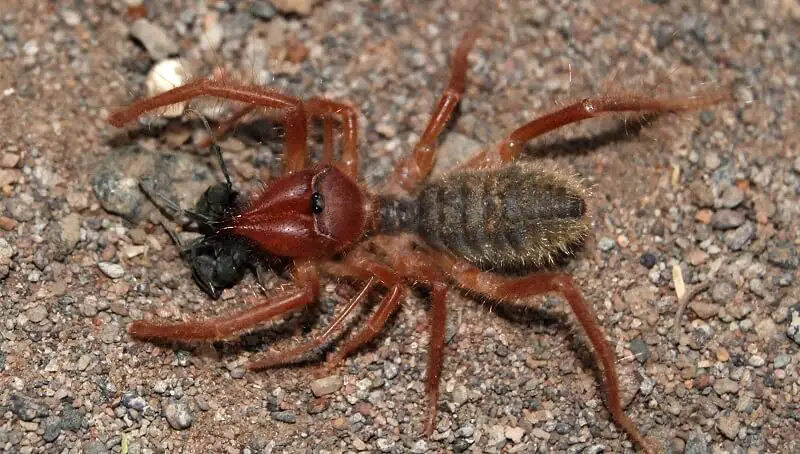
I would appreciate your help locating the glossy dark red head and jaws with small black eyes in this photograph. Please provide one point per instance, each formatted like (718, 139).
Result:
(310, 213)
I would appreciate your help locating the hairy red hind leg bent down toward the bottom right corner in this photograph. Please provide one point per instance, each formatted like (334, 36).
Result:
(511, 289)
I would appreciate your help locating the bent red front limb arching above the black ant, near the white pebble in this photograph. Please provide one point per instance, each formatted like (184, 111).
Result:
(294, 116)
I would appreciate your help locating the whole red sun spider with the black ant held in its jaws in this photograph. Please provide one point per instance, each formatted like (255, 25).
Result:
(491, 214)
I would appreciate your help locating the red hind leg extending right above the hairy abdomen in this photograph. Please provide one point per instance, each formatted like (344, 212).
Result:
(511, 146)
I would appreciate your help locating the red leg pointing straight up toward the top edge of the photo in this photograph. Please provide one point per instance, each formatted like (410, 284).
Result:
(419, 164)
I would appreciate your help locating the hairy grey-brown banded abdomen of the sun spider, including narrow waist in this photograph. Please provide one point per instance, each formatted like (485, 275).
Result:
(516, 216)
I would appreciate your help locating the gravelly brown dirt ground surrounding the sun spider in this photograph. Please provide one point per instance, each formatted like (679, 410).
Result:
(712, 194)
